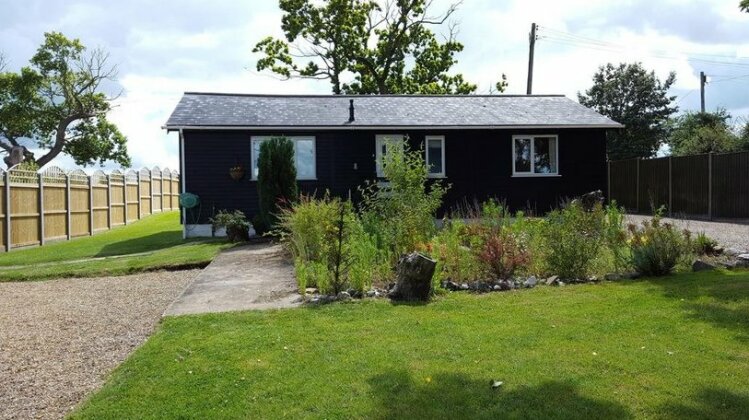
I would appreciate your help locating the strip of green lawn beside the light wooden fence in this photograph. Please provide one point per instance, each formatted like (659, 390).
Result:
(156, 239)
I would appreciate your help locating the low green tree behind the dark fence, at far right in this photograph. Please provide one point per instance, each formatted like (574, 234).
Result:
(704, 132)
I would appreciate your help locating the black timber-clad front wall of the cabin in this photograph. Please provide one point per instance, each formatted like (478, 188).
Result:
(478, 165)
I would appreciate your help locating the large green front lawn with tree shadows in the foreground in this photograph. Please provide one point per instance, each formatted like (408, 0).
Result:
(676, 347)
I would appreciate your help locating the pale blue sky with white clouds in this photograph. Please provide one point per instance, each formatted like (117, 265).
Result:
(164, 48)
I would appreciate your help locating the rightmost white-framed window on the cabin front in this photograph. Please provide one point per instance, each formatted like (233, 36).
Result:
(535, 156)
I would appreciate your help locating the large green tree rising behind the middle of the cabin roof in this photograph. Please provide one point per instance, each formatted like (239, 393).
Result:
(366, 47)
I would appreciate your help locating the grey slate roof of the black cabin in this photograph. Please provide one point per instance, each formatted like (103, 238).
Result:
(330, 111)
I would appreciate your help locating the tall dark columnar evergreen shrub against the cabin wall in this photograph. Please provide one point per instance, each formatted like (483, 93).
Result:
(276, 181)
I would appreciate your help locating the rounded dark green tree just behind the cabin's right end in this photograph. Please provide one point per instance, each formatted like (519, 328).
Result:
(635, 97)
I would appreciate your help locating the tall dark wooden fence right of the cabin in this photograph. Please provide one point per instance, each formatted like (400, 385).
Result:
(705, 186)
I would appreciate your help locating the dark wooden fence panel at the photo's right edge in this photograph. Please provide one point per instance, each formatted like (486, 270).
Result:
(731, 185)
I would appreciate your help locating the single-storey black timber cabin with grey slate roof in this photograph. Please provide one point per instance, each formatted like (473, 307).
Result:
(530, 151)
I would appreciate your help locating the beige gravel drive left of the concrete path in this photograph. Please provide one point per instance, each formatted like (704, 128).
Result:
(60, 338)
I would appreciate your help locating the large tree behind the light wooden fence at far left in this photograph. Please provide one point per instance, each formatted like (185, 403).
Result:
(57, 105)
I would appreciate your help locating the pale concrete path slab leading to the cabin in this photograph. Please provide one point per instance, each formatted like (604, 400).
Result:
(257, 276)
